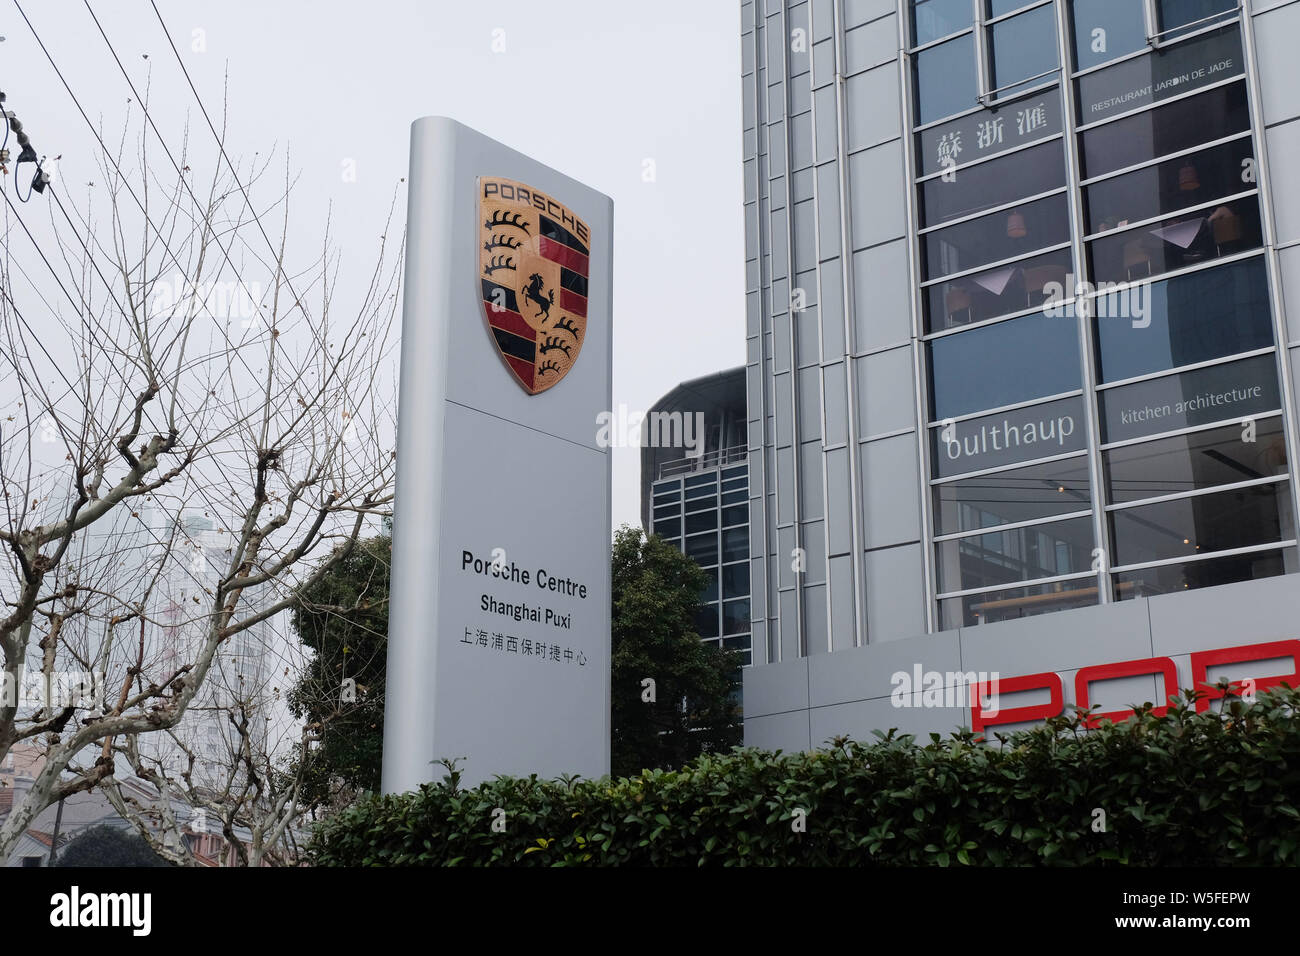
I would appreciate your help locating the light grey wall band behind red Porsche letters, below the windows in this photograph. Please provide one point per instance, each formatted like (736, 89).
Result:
(800, 704)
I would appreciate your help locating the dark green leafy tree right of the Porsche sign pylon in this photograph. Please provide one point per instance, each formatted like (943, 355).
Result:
(656, 592)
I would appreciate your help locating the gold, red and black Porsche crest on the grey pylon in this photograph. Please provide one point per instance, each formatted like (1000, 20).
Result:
(534, 262)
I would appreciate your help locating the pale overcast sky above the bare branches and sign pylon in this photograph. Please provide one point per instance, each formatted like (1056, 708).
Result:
(343, 81)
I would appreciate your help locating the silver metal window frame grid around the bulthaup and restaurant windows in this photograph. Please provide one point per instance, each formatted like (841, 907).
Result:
(1084, 313)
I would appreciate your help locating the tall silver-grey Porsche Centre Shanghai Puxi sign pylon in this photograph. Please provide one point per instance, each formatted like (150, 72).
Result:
(500, 618)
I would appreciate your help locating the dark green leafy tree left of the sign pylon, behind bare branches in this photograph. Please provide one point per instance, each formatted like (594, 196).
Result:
(344, 617)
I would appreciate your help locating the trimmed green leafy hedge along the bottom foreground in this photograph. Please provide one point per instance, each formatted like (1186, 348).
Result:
(1184, 789)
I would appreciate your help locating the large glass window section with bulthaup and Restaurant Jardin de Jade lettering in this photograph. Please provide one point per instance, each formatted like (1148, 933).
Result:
(1102, 361)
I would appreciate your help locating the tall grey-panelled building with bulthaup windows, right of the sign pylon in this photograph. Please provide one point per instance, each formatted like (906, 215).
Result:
(1020, 356)
